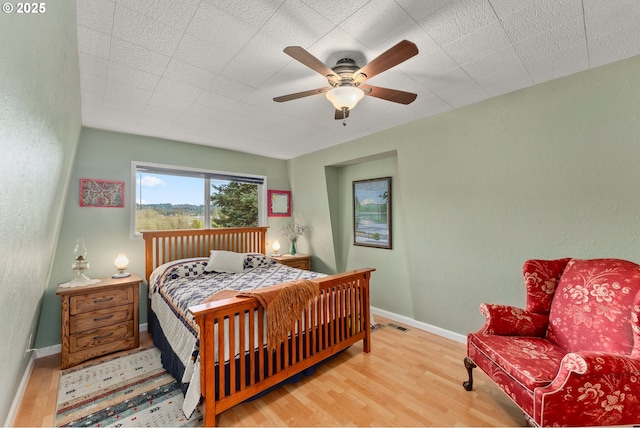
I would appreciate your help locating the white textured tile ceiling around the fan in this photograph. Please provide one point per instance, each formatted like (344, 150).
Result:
(206, 71)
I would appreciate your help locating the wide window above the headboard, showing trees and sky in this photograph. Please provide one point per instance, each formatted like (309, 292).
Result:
(167, 197)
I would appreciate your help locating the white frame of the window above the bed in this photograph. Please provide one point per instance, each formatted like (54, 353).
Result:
(197, 173)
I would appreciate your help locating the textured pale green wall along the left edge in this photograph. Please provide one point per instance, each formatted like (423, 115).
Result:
(39, 128)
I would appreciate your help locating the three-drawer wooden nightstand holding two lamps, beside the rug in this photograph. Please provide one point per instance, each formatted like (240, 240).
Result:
(99, 319)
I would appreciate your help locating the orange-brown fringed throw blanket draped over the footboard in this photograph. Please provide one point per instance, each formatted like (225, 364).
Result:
(283, 304)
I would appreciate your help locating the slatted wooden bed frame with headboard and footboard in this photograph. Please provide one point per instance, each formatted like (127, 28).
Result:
(339, 318)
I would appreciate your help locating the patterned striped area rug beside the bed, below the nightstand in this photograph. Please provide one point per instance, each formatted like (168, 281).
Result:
(131, 390)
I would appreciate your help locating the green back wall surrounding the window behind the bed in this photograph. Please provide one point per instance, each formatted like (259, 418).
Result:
(108, 155)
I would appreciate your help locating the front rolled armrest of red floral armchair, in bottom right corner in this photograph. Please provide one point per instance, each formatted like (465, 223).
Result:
(591, 387)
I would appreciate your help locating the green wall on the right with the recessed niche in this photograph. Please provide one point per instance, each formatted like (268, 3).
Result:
(545, 172)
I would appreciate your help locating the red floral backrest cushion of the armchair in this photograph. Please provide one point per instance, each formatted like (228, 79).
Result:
(591, 307)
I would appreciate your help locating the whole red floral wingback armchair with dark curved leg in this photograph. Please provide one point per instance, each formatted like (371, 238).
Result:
(572, 357)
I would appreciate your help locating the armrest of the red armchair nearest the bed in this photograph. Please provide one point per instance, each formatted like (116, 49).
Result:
(508, 320)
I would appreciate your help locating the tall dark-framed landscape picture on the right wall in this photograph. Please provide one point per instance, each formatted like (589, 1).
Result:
(372, 212)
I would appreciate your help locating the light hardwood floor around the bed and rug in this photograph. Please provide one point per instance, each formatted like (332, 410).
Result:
(410, 378)
